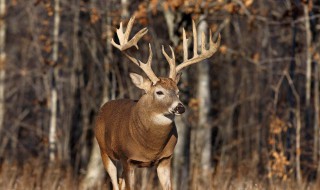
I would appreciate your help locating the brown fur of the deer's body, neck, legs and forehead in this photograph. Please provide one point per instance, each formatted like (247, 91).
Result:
(126, 132)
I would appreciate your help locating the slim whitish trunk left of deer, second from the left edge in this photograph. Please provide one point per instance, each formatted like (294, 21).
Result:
(54, 93)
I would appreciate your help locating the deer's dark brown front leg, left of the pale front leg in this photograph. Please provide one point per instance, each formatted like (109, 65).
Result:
(128, 175)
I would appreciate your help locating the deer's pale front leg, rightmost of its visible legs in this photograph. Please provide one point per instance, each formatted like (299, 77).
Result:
(164, 173)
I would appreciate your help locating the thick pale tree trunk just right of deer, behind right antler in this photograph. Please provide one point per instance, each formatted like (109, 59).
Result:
(201, 163)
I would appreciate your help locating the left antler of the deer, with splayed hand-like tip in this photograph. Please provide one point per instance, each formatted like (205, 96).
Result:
(125, 44)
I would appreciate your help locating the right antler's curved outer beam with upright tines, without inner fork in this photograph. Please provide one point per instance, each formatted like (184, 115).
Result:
(205, 53)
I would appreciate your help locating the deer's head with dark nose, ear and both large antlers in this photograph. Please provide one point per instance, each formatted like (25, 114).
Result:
(162, 93)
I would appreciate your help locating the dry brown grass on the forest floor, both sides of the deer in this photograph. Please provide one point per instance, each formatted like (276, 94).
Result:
(31, 176)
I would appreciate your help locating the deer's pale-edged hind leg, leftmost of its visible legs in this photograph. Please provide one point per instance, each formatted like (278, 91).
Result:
(111, 168)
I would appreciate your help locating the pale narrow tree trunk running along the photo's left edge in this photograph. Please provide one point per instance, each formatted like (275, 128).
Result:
(2, 61)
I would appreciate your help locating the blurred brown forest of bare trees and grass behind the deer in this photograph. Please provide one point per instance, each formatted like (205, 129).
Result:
(253, 108)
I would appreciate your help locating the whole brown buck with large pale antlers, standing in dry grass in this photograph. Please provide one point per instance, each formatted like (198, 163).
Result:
(142, 133)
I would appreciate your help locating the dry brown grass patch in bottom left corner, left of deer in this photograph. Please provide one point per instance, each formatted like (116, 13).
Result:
(35, 175)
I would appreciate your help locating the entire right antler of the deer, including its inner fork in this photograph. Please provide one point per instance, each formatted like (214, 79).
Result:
(205, 53)
